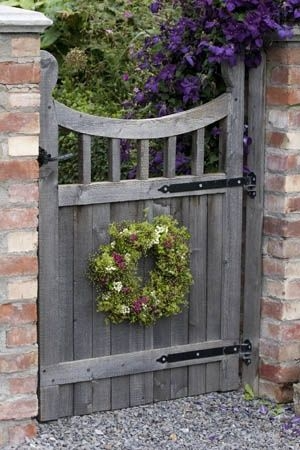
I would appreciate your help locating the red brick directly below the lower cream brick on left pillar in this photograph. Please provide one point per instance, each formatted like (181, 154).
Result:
(18, 265)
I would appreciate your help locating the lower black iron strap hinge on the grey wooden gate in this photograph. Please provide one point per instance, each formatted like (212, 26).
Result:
(244, 350)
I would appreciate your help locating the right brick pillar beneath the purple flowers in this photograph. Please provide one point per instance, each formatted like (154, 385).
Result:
(280, 325)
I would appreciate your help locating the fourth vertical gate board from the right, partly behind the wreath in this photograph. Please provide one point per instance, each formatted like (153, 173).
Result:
(162, 330)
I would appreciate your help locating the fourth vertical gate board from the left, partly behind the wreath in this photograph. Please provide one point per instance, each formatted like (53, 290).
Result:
(120, 334)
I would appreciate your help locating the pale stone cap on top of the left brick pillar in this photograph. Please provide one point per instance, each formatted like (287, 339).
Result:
(16, 20)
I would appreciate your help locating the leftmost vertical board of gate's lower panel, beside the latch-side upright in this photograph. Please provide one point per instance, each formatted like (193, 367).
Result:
(66, 268)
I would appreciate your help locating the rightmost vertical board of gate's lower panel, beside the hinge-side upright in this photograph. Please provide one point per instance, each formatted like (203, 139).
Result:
(214, 282)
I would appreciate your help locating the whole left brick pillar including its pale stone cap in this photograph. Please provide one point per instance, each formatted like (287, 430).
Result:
(19, 134)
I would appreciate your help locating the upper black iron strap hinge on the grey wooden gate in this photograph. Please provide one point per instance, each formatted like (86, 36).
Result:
(248, 182)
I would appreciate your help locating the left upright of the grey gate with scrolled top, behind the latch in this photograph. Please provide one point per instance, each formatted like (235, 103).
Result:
(49, 330)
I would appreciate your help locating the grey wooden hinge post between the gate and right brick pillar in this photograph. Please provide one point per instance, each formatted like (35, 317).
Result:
(254, 219)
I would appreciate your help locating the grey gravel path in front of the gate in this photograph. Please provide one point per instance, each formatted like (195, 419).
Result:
(211, 421)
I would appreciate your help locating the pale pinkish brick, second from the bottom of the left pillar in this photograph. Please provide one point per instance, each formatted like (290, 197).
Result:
(18, 409)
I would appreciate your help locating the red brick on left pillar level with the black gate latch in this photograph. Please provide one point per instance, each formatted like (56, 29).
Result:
(19, 170)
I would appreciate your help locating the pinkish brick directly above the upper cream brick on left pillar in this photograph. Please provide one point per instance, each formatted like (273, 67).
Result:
(19, 122)
